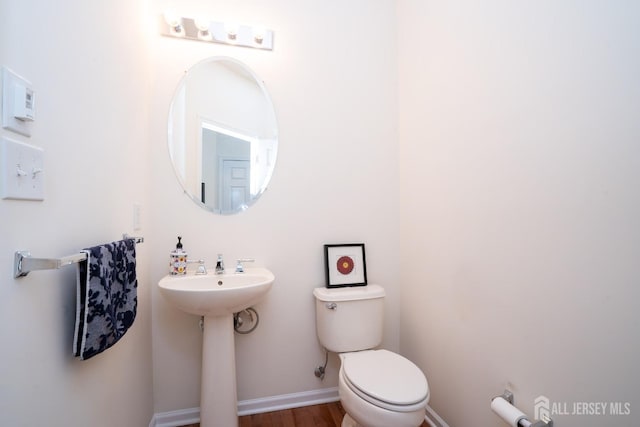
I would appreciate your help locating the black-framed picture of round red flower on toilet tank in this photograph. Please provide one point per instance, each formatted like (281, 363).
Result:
(345, 265)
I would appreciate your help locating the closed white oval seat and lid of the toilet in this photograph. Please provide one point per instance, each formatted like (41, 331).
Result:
(385, 379)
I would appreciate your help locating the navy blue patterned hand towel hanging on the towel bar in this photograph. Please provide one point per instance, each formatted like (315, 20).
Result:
(107, 297)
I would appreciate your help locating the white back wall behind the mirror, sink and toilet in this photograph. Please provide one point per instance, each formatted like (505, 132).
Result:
(330, 77)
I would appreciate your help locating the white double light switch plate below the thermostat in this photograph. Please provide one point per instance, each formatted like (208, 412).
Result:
(21, 171)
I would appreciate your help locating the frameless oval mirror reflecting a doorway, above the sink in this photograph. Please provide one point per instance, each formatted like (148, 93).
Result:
(223, 135)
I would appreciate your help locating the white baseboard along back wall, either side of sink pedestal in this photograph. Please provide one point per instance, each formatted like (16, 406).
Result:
(252, 406)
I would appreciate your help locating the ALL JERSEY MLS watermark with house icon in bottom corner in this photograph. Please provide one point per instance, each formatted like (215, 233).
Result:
(543, 408)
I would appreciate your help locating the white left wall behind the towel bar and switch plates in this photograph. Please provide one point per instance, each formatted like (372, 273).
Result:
(89, 75)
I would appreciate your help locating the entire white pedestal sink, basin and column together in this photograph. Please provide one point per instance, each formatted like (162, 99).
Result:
(217, 297)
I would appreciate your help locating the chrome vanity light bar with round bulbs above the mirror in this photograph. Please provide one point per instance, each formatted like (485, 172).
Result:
(216, 32)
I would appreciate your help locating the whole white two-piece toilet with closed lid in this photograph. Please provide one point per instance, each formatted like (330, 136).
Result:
(377, 388)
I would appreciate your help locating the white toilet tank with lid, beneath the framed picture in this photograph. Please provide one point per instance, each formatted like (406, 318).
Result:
(350, 318)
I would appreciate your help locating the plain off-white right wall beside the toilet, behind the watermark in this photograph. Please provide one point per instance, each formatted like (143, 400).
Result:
(520, 165)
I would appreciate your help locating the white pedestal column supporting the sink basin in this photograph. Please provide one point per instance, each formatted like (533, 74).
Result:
(218, 397)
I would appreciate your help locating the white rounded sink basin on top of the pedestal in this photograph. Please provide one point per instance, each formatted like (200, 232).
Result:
(217, 294)
